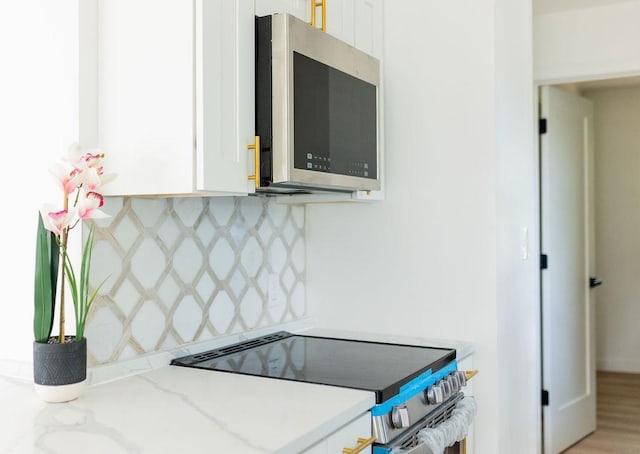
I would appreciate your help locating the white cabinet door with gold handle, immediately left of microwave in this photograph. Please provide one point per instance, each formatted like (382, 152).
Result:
(224, 95)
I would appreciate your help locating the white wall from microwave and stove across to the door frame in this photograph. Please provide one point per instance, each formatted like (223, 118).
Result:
(440, 257)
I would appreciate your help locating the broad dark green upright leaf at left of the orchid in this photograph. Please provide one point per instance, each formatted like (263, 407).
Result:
(46, 278)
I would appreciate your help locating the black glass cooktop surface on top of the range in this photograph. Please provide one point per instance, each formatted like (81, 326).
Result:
(372, 366)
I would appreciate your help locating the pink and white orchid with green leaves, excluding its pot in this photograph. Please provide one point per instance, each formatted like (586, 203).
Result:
(79, 177)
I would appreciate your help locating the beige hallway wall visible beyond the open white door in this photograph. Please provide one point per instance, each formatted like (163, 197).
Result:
(617, 192)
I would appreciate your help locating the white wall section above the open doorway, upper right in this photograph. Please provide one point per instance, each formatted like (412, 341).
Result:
(588, 43)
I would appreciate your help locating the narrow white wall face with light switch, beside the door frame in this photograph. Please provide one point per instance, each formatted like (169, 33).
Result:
(518, 300)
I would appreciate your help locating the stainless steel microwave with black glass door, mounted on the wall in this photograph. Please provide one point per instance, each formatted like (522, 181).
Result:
(316, 110)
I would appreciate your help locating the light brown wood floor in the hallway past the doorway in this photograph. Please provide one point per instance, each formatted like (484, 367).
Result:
(618, 416)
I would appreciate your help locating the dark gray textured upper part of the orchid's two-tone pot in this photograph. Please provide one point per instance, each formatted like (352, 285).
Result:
(59, 364)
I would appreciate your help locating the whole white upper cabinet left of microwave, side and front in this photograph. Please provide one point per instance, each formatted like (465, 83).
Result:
(175, 95)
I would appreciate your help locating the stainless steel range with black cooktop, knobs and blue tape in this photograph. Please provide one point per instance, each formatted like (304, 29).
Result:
(418, 389)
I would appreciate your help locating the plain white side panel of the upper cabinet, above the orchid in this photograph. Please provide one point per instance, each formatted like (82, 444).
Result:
(145, 94)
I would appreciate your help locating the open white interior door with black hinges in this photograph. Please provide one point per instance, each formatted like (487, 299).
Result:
(568, 324)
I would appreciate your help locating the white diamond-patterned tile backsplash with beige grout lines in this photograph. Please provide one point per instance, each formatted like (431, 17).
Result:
(183, 270)
